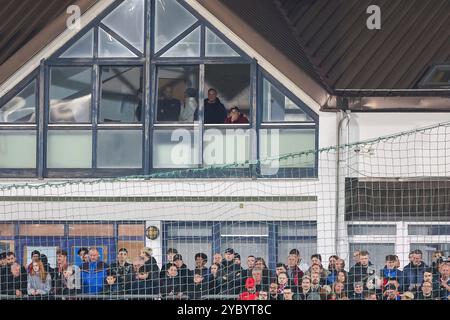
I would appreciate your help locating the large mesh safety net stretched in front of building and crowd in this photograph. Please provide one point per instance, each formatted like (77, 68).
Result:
(367, 220)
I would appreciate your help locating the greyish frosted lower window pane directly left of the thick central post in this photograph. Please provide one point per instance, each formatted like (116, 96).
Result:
(119, 149)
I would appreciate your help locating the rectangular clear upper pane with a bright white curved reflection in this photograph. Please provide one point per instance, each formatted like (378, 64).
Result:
(70, 94)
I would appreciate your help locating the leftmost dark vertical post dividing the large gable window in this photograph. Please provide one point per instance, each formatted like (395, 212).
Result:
(40, 154)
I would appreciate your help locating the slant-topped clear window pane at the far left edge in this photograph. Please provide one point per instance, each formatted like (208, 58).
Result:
(22, 107)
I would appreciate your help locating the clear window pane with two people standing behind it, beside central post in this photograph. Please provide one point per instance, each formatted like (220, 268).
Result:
(177, 89)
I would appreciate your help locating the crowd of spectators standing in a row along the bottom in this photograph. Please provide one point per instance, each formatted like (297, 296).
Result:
(226, 277)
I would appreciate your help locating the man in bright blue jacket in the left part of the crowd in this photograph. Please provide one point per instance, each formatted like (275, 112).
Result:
(93, 273)
